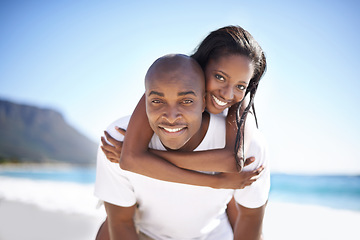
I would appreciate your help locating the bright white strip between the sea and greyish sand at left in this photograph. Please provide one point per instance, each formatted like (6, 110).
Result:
(51, 195)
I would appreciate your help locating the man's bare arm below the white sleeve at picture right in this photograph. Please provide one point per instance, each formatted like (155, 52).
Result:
(249, 223)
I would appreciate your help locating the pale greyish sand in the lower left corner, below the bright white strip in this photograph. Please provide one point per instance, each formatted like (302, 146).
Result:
(19, 221)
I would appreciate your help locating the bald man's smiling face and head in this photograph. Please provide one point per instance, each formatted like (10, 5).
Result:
(175, 100)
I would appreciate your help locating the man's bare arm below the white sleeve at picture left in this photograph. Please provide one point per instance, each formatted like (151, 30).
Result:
(121, 223)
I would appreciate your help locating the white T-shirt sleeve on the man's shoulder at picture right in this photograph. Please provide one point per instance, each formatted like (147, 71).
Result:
(256, 194)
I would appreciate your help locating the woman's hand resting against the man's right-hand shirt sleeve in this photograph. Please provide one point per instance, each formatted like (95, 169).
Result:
(242, 179)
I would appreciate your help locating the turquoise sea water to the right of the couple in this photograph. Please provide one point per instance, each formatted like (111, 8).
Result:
(341, 192)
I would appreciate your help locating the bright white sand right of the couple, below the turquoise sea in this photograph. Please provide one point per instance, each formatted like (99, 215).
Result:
(287, 221)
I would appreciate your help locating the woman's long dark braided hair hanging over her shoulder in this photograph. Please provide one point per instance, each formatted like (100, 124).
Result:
(234, 40)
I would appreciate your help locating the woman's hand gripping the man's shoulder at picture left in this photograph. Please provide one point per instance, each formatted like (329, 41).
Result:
(112, 152)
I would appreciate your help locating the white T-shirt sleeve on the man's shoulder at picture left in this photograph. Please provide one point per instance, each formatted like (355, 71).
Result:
(111, 184)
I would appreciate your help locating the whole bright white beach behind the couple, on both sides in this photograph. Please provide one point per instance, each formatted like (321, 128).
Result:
(58, 210)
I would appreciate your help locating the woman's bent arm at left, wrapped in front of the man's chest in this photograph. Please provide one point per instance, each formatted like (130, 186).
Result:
(136, 158)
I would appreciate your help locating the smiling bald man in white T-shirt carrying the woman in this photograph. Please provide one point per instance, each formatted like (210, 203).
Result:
(139, 206)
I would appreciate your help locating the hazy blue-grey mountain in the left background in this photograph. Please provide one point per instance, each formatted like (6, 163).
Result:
(32, 134)
